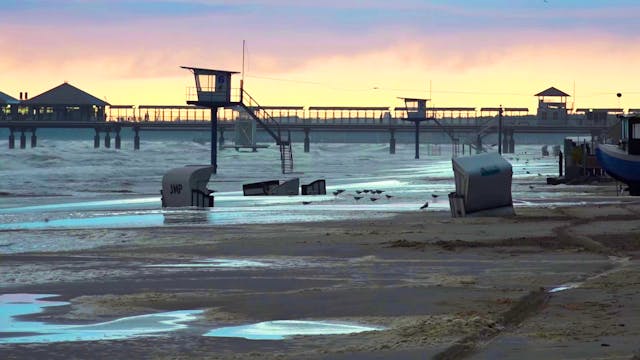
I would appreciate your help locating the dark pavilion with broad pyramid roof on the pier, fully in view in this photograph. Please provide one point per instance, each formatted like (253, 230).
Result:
(65, 103)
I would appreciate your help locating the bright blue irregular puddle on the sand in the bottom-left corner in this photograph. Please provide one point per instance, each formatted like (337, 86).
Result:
(13, 305)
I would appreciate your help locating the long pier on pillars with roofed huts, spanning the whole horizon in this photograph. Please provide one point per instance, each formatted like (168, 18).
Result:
(66, 107)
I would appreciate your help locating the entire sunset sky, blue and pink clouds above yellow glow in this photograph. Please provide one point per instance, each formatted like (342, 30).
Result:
(331, 52)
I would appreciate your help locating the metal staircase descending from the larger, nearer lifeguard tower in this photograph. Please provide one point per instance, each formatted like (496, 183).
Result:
(272, 127)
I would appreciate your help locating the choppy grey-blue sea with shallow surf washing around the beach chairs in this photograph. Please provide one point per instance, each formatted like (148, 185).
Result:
(64, 183)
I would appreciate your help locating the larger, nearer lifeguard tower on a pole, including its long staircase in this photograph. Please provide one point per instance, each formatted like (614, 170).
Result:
(214, 90)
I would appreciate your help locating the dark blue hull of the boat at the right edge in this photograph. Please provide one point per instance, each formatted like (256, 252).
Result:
(620, 166)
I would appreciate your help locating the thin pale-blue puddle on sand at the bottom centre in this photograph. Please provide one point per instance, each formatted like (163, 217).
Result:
(281, 329)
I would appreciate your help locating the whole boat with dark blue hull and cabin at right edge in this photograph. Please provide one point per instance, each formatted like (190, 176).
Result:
(622, 161)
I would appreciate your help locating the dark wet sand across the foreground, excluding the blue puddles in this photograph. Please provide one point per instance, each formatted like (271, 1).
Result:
(443, 288)
